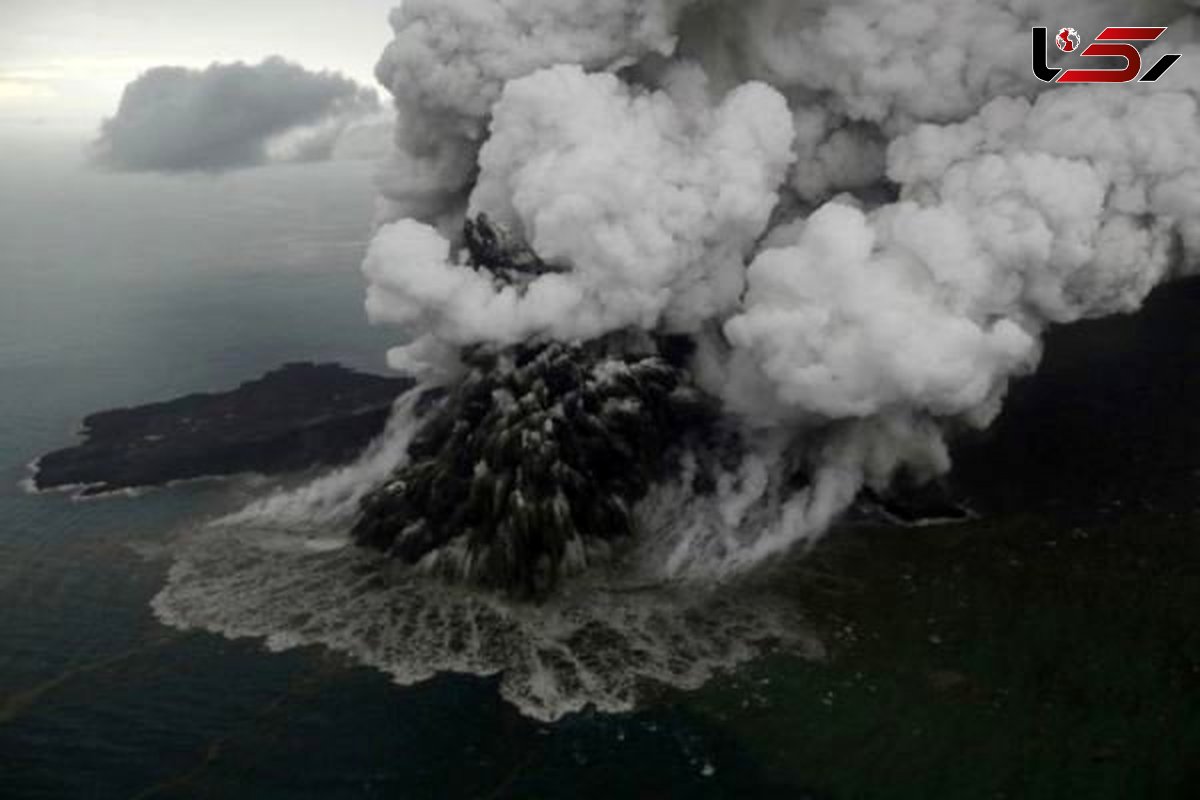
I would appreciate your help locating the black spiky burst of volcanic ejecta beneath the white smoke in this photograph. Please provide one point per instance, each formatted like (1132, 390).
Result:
(535, 460)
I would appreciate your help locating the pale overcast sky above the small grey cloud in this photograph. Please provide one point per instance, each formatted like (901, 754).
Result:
(64, 63)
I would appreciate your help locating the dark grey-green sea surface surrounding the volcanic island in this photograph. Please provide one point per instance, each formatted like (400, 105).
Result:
(1049, 649)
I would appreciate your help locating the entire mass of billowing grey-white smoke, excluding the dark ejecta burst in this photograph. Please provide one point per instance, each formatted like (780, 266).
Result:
(865, 215)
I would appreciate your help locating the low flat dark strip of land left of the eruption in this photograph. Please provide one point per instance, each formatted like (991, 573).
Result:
(298, 417)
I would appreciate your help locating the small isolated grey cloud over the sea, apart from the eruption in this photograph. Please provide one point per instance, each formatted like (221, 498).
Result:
(233, 116)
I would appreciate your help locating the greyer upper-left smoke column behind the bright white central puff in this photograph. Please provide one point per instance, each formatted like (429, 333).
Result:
(451, 61)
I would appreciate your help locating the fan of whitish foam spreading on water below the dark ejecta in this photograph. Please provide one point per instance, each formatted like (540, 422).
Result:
(596, 645)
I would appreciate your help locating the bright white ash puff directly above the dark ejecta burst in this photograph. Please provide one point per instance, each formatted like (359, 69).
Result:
(670, 255)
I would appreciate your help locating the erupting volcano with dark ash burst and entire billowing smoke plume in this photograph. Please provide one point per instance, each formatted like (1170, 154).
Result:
(808, 227)
